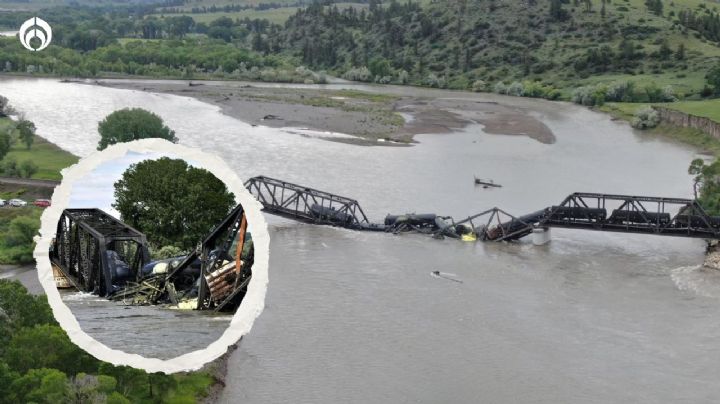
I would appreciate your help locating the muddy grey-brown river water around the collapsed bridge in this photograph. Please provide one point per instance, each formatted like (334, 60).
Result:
(357, 317)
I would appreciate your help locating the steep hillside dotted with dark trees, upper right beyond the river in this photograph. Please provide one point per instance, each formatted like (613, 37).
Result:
(455, 43)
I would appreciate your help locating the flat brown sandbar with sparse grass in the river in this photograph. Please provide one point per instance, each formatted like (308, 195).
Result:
(393, 113)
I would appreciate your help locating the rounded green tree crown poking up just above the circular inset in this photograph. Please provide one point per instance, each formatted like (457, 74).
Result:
(128, 124)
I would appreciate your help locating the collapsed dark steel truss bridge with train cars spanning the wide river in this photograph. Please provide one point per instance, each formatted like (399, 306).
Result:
(588, 211)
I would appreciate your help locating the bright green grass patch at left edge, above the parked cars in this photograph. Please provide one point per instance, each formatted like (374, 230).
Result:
(49, 158)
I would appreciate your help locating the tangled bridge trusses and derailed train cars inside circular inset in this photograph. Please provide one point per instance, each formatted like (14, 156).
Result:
(97, 253)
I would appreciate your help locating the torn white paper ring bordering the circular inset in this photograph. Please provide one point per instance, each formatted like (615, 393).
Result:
(242, 320)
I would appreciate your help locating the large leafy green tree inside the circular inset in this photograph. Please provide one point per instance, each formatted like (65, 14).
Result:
(171, 202)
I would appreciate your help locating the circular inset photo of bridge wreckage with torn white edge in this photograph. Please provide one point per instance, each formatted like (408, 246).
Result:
(154, 255)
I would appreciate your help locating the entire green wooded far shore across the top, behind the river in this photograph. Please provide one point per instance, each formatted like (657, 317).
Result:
(462, 44)
